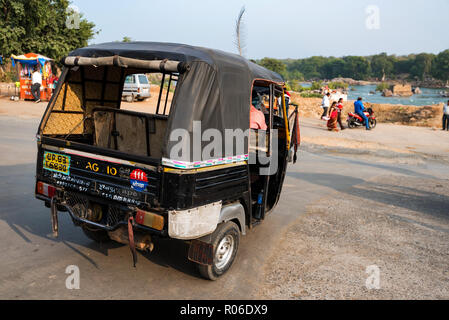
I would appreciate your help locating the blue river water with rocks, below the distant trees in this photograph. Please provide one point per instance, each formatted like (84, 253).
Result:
(426, 98)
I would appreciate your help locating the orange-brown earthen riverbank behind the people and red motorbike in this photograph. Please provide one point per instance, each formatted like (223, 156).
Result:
(426, 116)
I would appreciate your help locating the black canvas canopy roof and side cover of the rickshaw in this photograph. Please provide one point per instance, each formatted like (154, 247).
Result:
(215, 89)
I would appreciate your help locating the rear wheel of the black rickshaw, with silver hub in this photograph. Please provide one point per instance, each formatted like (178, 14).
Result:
(225, 241)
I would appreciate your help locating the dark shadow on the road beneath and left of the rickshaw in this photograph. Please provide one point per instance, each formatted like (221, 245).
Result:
(27, 216)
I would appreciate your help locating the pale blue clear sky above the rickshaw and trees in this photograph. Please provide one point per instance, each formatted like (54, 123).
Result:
(279, 29)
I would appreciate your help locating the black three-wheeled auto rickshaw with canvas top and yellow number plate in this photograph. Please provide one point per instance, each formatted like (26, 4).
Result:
(130, 176)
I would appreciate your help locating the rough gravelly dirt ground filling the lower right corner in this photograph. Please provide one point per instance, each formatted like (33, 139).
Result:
(404, 231)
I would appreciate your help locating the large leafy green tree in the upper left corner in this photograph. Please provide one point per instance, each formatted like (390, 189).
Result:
(40, 26)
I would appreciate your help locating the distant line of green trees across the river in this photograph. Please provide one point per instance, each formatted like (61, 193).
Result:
(380, 67)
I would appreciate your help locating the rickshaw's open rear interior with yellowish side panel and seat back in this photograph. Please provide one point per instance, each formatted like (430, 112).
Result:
(88, 109)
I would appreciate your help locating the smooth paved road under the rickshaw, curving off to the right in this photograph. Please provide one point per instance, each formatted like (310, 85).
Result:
(32, 264)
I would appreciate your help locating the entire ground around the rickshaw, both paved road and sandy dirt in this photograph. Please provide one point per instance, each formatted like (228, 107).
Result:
(354, 199)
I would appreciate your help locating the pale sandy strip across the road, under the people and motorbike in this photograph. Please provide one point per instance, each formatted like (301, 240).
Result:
(387, 142)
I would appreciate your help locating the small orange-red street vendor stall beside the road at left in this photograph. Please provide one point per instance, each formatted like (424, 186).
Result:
(25, 66)
